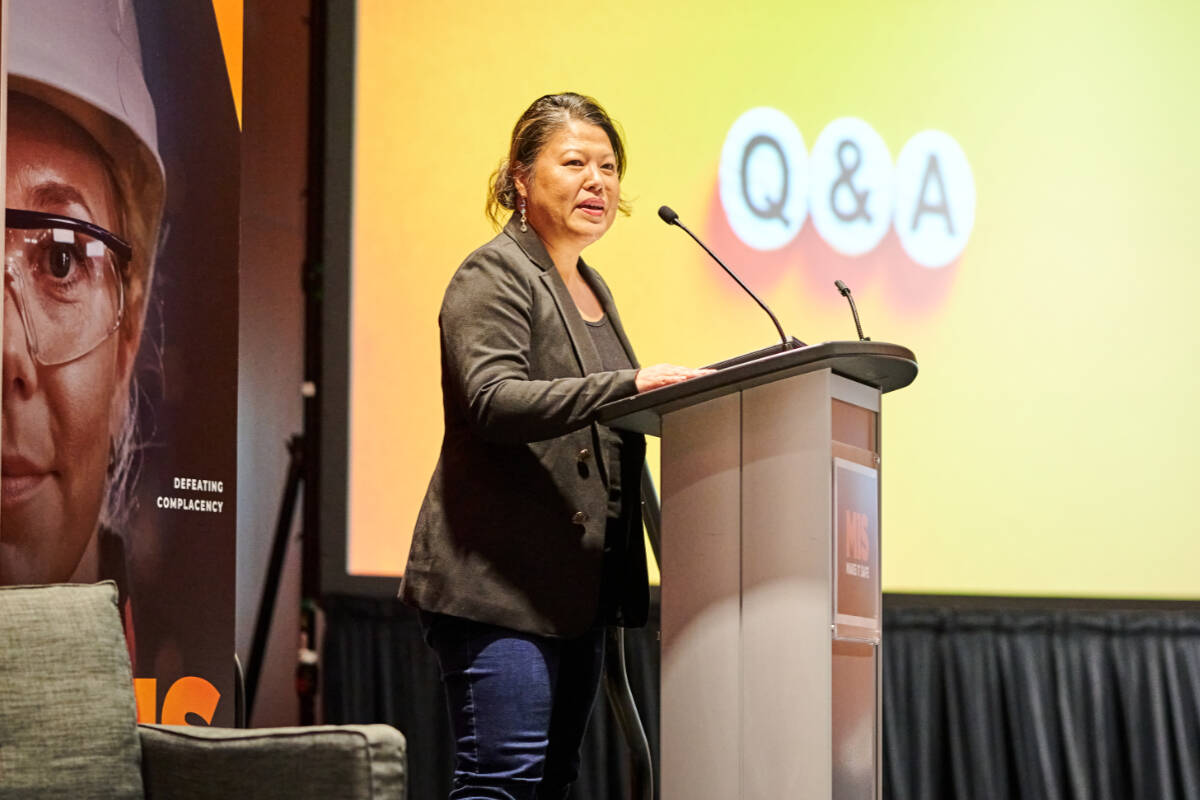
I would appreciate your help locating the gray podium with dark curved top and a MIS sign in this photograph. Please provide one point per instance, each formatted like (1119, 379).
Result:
(771, 572)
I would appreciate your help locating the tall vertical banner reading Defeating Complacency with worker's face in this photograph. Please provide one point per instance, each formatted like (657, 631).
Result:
(121, 340)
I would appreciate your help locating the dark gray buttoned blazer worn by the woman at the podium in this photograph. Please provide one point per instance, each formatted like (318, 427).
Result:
(512, 531)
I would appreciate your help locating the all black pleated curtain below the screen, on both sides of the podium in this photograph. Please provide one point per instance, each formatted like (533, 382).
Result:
(979, 705)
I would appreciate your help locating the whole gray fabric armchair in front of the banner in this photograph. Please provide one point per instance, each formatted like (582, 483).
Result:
(68, 723)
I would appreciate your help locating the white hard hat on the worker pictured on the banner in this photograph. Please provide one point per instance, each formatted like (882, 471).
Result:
(83, 58)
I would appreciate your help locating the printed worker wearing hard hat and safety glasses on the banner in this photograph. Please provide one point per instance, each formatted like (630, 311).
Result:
(85, 197)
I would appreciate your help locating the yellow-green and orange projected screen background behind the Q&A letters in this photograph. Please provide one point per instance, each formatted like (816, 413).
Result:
(1048, 444)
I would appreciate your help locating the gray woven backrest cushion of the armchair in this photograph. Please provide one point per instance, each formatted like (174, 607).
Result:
(68, 717)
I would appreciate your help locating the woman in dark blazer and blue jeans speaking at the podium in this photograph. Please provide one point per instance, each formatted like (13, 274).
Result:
(529, 542)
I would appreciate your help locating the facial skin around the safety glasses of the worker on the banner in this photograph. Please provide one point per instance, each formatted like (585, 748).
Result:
(58, 422)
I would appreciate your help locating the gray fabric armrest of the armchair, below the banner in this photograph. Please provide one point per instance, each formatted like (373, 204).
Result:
(319, 762)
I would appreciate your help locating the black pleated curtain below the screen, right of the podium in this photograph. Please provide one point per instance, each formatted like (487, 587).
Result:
(1041, 705)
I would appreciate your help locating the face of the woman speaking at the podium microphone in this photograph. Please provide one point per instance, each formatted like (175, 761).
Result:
(573, 190)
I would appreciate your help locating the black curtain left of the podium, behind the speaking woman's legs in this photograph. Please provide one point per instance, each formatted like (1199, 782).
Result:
(377, 669)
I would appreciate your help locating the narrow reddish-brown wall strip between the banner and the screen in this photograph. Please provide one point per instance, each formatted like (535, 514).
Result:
(272, 328)
